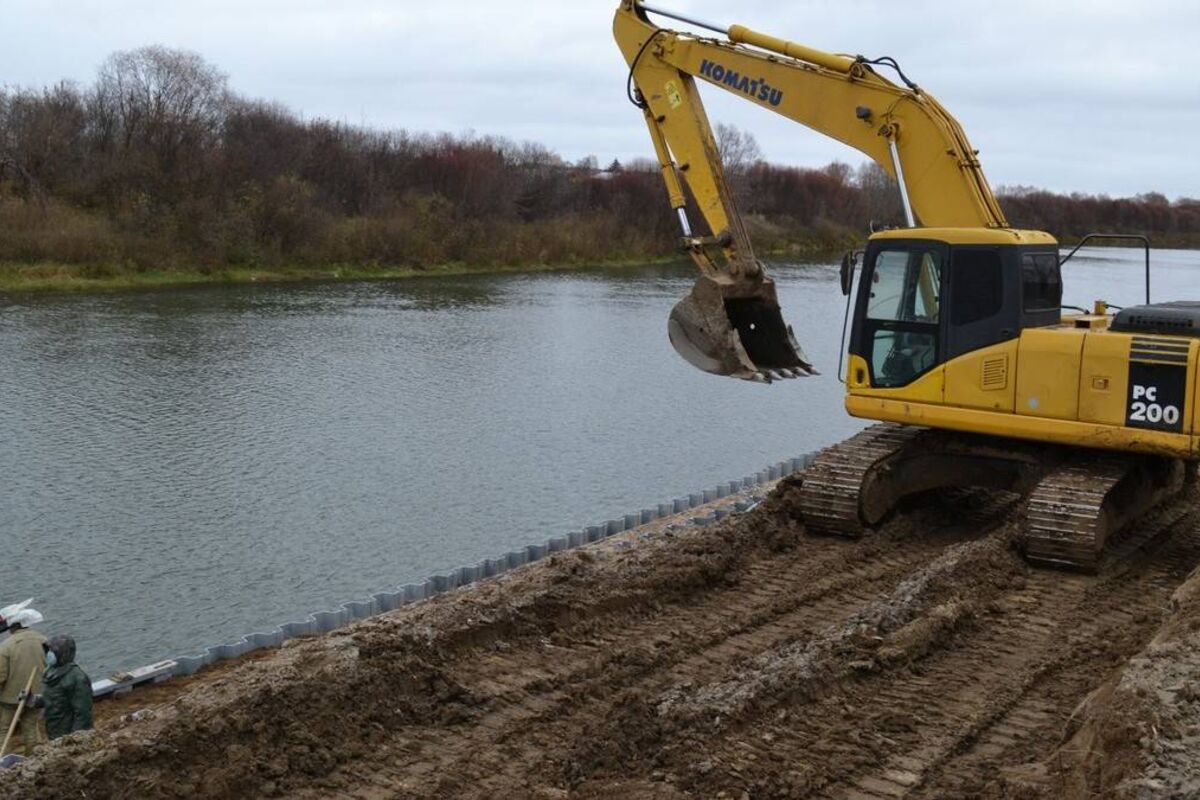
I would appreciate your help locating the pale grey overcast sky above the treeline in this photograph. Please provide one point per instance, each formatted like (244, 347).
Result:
(1097, 97)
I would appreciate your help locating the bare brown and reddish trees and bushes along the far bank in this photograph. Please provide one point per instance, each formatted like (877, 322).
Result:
(159, 167)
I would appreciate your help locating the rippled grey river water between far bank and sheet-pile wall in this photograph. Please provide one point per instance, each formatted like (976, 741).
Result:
(185, 467)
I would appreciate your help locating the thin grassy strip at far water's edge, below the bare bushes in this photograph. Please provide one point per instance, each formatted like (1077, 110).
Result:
(69, 279)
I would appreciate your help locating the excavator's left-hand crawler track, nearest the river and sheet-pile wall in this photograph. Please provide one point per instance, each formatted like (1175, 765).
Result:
(833, 483)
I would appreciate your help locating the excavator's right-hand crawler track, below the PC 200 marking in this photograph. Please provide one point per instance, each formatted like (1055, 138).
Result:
(1081, 506)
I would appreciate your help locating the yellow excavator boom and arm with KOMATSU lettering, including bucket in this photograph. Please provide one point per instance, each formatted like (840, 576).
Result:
(731, 323)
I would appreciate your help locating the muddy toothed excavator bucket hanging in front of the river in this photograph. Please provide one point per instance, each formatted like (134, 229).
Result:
(731, 327)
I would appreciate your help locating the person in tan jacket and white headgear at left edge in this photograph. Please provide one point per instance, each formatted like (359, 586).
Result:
(22, 664)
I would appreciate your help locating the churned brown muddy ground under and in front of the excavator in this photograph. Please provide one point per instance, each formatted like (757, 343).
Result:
(741, 660)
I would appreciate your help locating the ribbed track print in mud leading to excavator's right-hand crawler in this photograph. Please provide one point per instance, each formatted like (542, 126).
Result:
(999, 694)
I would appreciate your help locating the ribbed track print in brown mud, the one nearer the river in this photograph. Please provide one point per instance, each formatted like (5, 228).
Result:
(561, 691)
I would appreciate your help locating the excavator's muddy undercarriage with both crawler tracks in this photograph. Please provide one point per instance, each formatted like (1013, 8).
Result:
(1076, 502)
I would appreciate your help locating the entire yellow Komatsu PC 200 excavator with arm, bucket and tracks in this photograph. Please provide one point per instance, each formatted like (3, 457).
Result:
(958, 345)
